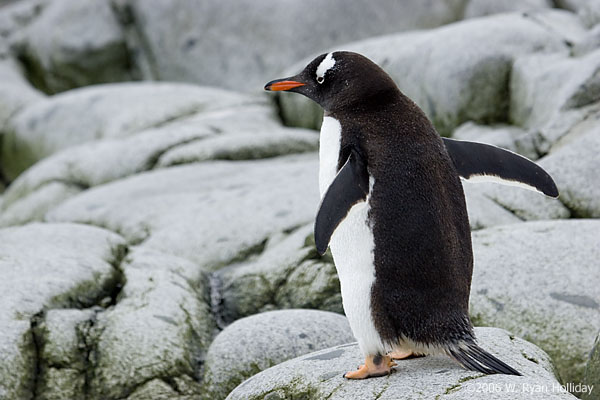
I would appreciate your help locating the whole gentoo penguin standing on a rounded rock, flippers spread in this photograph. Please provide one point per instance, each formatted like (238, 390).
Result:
(393, 213)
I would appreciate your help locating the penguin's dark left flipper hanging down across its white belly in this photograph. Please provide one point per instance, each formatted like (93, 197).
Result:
(350, 186)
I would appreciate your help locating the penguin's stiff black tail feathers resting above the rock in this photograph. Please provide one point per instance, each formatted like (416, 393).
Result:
(473, 357)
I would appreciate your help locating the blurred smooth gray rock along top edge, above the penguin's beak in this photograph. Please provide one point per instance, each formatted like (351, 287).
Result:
(233, 45)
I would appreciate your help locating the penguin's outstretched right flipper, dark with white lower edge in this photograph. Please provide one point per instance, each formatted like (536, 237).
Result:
(482, 162)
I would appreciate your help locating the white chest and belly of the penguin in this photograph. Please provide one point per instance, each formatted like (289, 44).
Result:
(352, 247)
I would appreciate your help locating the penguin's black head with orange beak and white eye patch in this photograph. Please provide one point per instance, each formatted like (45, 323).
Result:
(338, 80)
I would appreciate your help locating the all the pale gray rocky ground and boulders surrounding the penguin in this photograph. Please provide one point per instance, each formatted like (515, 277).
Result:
(156, 207)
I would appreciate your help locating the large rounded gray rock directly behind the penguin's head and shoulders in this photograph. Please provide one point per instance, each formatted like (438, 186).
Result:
(451, 82)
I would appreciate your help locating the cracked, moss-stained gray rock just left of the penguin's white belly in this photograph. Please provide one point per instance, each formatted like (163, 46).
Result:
(288, 273)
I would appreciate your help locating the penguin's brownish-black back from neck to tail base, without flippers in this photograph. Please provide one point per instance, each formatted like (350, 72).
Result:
(423, 255)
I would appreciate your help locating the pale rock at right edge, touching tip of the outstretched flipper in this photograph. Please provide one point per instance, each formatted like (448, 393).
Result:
(574, 165)
